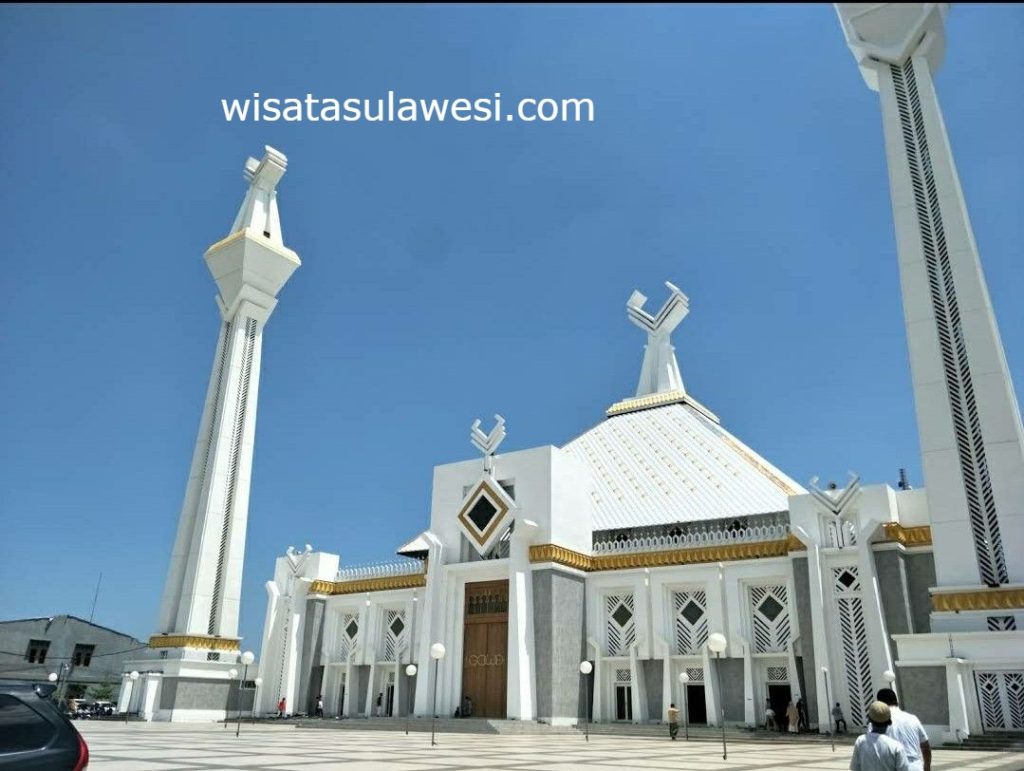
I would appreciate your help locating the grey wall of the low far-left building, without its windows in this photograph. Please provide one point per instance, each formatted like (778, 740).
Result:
(64, 633)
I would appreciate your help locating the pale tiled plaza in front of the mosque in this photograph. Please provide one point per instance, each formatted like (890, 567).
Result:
(141, 747)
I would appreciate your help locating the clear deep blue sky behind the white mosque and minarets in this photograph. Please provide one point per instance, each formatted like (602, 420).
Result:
(451, 271)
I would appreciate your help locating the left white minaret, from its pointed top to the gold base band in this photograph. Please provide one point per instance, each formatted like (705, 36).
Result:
(200, 608)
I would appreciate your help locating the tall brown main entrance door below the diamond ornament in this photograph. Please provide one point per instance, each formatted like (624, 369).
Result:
(485, 670)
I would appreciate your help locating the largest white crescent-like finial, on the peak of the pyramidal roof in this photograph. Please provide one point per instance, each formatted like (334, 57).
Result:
(661, 372)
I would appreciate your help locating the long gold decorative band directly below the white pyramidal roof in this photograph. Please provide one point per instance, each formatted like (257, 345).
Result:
(721, 553)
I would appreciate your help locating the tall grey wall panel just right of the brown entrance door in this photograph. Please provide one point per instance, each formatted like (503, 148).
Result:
(559, 644)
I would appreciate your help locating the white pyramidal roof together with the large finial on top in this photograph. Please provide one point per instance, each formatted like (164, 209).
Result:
(663, 457)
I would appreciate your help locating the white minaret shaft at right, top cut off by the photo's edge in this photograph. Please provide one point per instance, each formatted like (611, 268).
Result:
(968, 419)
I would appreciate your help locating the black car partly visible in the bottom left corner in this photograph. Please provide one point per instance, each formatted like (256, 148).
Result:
(34, 735)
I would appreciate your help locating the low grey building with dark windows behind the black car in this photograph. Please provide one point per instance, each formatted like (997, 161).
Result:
(80, 653)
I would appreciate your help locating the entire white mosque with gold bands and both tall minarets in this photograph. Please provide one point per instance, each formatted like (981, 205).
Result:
(655, 559)
